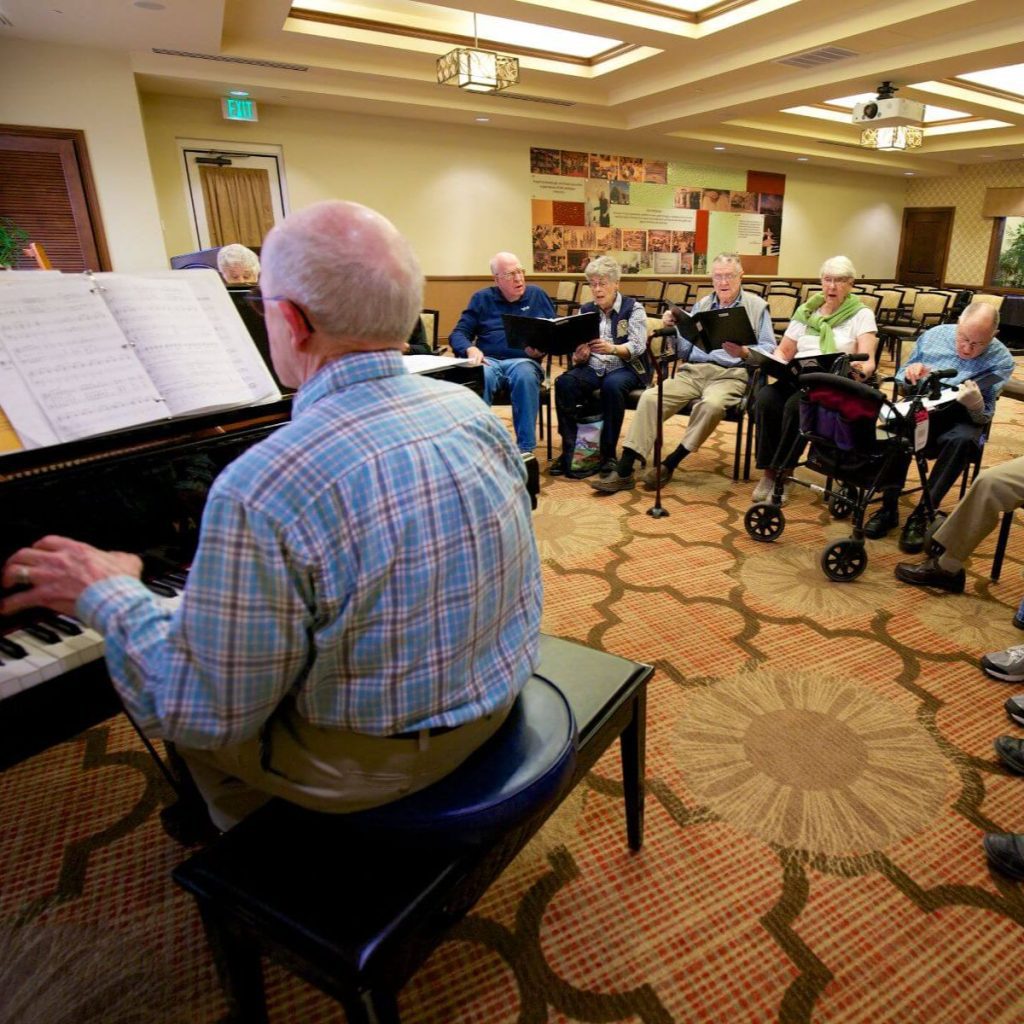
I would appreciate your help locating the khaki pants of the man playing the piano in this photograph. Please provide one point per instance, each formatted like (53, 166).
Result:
(327, 770)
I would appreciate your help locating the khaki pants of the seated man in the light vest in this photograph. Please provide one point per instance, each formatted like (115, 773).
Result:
(714, 389)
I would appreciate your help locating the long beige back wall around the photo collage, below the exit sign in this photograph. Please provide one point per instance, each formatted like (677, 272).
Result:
(461, 194)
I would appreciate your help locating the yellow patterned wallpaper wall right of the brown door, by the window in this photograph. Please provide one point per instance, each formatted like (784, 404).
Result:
(972, 232)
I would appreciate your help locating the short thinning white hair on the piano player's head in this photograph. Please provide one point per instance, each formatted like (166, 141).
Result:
(350, 269)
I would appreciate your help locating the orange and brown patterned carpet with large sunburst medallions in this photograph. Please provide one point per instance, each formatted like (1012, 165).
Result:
(820, 773)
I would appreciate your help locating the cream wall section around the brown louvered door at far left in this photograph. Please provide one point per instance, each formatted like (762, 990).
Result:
(94, 92)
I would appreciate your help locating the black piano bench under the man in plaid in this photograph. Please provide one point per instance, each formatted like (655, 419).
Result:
(356, 904)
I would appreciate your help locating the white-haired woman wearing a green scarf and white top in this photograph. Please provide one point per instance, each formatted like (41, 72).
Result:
(831, 321)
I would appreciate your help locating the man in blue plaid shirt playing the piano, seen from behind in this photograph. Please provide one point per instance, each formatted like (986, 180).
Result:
(365, 602)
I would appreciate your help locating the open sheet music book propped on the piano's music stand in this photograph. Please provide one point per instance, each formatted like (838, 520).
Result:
(82, 356)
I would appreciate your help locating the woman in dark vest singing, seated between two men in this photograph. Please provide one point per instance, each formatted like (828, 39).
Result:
(613, 364)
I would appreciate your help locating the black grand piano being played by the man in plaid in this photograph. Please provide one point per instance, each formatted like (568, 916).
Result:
(141, 491)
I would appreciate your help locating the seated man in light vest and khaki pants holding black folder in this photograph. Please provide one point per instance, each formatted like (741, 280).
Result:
(713, 380)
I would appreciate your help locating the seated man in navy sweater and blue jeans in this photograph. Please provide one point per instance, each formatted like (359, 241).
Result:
(480, 337)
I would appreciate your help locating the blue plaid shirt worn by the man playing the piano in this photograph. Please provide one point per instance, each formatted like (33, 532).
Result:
(375, 559)
